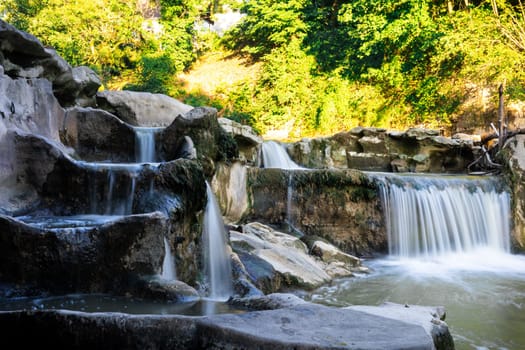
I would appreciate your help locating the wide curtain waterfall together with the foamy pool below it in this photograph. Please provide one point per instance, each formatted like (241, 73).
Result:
(448, 246)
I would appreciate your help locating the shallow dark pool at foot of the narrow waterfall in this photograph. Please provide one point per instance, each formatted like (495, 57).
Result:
(107, 303)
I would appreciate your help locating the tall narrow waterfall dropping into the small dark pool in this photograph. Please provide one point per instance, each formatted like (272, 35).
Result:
(217, 262)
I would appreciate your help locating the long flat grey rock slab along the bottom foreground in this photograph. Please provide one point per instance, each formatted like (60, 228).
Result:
(299, 326)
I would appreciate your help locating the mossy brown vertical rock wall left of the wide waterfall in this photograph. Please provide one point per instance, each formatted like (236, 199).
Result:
(342, 206)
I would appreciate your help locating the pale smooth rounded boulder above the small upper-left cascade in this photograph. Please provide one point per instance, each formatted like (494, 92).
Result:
(142, 108)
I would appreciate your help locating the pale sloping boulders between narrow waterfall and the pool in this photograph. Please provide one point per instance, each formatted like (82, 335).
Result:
(274, 260)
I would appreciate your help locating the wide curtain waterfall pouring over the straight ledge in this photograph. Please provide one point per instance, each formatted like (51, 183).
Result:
(429, 216)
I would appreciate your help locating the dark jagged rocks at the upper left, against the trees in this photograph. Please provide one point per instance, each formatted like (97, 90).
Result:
(23, 56)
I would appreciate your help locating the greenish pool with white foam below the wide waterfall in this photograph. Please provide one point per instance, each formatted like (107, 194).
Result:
(483, 295)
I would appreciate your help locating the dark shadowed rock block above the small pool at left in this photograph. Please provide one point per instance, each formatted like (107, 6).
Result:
(69, 259)
